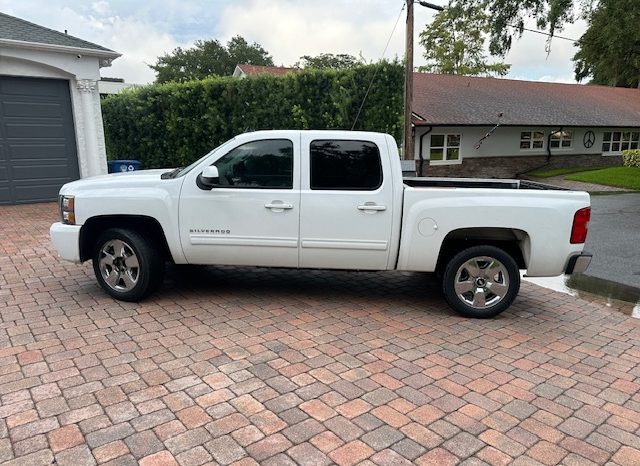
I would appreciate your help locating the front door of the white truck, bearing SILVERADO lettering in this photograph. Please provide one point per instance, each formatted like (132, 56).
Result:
(251, 216)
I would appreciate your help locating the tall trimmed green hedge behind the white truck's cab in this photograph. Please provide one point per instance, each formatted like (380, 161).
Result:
(173, 124)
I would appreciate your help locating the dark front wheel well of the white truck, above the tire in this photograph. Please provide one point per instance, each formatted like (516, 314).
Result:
(147, 226)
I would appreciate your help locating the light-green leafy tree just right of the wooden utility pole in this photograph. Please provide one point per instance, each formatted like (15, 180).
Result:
(454, 42)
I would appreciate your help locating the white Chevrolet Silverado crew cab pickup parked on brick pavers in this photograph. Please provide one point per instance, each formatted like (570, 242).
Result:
(322, 199)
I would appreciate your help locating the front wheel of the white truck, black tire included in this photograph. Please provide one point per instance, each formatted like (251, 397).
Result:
(119, 277)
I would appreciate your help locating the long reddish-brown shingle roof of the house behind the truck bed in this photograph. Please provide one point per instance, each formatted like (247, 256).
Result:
(462, 100)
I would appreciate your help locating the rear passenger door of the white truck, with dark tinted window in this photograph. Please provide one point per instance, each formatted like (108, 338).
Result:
(346, 202)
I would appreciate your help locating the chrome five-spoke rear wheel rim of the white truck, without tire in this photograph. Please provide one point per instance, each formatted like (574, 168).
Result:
(481, 282)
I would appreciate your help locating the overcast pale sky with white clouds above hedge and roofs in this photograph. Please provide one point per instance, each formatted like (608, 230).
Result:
(143, 30)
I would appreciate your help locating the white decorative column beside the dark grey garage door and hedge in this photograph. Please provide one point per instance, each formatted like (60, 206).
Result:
(94, 153)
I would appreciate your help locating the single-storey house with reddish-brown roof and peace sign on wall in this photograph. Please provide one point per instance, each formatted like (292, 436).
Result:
(499, 128)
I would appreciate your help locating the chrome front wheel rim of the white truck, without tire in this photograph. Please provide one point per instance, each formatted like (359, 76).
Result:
(119, 265)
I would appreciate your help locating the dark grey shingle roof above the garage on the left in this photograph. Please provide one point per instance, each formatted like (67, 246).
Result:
(19, 30)
